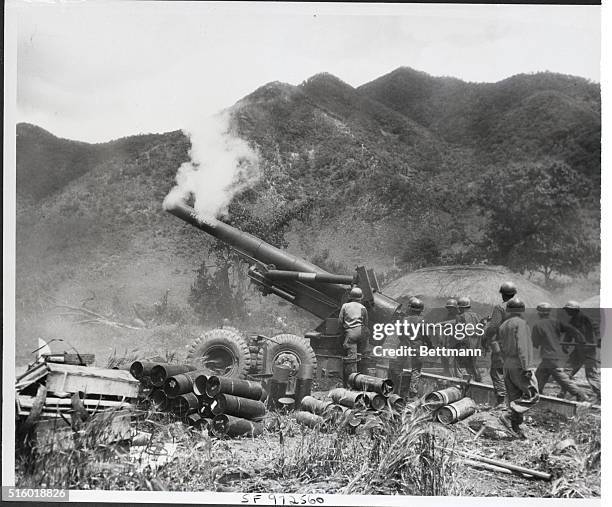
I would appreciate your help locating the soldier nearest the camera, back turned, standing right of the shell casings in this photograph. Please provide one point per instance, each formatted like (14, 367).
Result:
(521, 385)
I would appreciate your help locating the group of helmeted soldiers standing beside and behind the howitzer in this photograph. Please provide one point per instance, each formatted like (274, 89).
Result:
(507, 337)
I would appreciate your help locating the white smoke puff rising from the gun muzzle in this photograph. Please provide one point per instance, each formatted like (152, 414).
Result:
(220, 166)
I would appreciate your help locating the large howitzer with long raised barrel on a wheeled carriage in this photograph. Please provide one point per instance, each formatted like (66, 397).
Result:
(303, 284)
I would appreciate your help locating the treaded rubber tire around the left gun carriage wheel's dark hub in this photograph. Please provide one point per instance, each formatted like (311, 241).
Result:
(232, 342)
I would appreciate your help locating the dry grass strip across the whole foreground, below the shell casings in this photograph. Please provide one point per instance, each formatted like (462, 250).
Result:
(401, 454)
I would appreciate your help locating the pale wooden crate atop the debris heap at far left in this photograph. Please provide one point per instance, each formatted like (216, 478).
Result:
(90, 380)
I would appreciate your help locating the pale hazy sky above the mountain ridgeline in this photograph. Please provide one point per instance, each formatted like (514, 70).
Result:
(100, 70)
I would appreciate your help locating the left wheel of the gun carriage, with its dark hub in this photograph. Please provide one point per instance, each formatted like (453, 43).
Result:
(222, 352)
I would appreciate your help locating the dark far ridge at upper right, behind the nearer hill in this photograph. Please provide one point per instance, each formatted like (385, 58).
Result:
(526, 115)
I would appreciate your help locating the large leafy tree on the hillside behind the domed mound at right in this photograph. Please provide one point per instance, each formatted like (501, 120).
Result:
(537, 218)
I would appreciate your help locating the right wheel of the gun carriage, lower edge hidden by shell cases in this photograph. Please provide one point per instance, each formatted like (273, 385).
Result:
(286, 349)
